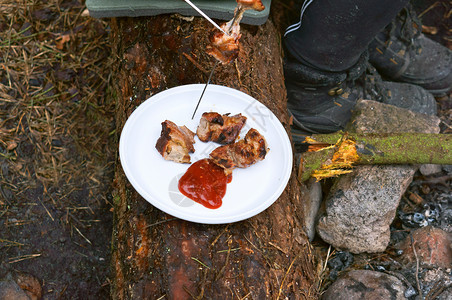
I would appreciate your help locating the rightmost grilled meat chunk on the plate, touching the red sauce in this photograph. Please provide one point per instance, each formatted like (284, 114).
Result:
(241, 154)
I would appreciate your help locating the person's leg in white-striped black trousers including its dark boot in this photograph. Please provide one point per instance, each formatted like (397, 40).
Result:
(326, 61)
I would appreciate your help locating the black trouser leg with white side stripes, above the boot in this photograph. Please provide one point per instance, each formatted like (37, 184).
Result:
(332, 35)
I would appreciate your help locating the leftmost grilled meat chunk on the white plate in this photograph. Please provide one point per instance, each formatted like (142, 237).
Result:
(175, 143)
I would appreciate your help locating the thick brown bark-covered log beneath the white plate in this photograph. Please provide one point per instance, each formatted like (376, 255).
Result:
(157, 256)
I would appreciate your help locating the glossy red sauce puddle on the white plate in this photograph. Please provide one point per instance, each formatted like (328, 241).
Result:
(205, 183)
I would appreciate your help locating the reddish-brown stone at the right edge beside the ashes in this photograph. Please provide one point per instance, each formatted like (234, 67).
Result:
(432, 245)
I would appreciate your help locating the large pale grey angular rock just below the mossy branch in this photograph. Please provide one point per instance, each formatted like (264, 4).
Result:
(359, 211)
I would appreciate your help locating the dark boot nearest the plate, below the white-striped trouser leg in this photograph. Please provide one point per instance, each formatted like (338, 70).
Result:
(321, 102)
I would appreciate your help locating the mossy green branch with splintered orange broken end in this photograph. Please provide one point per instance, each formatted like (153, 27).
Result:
(330, 155)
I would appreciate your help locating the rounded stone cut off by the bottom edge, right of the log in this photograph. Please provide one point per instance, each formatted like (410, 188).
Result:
(365, 284)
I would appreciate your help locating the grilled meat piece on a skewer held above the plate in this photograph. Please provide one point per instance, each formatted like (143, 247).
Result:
(223, 47)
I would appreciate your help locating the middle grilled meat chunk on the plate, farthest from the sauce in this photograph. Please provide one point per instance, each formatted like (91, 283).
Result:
(221, 129)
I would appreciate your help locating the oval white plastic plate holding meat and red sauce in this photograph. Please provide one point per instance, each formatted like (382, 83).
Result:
(251, 191)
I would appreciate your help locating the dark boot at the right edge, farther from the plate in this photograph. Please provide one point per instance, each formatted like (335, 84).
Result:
(402, 53)
